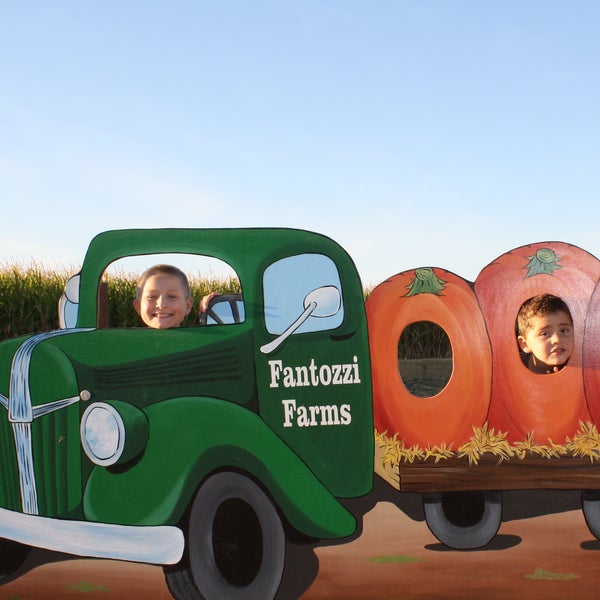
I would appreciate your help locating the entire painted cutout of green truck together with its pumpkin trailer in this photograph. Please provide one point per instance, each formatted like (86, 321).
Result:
(167, 446)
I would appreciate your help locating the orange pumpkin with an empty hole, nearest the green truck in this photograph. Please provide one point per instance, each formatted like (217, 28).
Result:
(440, 297)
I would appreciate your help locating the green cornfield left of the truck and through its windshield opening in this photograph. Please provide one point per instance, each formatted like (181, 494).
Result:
(29, 298)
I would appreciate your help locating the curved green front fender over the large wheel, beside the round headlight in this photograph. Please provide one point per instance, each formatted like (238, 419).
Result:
(189, 439)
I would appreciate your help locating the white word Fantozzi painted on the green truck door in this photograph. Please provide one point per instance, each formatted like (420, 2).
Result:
(313, 375)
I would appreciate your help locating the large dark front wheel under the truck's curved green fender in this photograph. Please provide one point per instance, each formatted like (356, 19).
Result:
(235, 546)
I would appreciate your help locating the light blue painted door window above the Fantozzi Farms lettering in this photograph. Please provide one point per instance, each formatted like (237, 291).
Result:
(289, 282)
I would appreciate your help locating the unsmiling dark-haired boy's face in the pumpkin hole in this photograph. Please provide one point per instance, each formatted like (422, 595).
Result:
(549, 342)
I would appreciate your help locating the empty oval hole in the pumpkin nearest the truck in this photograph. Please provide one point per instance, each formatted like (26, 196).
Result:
(424, 358)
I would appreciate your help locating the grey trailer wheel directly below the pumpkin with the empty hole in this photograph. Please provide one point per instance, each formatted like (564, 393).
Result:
(463, 520)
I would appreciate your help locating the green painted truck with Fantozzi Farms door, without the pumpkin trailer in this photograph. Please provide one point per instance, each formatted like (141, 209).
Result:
(171, 446)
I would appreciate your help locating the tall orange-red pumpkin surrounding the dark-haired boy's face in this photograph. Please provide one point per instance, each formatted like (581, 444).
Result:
(523, 402)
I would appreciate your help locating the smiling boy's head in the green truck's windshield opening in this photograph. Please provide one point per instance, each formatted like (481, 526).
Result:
(163, 302)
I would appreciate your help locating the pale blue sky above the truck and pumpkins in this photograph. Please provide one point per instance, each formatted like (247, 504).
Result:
(415, 133)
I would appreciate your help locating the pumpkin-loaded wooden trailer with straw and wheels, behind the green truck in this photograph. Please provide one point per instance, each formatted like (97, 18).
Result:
(538, 432)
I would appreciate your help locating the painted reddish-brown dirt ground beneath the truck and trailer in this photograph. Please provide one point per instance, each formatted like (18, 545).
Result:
(543, 550)
